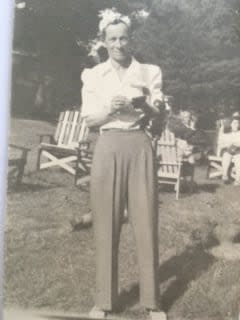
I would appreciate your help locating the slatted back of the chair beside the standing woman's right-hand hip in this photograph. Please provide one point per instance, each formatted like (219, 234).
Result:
(167, 155)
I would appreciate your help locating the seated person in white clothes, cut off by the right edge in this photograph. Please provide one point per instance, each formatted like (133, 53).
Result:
(229, 143)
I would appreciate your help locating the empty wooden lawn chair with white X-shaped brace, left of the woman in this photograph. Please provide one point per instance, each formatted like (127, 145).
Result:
(62, 150)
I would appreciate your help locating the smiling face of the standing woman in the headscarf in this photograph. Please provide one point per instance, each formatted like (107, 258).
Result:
(117, 42)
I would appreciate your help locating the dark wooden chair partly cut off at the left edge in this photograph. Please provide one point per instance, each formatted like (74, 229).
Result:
(17, 159)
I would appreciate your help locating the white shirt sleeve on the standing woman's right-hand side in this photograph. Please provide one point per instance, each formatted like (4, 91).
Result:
(155, 84)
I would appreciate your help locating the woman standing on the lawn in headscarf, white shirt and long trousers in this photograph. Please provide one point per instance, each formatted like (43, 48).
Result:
(123, 169)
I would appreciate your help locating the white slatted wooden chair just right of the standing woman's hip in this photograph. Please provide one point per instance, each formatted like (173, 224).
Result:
(171, 169)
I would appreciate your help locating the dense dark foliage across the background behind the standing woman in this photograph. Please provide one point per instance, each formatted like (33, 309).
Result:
(194, 41)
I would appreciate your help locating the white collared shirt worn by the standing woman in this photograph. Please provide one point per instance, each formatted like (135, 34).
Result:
(101, 84)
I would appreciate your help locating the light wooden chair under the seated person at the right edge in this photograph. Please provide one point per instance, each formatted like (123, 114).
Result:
(214, 169)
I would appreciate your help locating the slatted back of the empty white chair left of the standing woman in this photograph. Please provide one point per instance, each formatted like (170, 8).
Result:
(71, 129)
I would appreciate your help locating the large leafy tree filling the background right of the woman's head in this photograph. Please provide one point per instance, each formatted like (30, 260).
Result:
(192, 42)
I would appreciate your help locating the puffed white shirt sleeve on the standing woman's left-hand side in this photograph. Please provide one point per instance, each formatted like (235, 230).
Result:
(91, 102)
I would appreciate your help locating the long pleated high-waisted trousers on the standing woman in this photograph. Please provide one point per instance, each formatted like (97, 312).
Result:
(123, 175)
